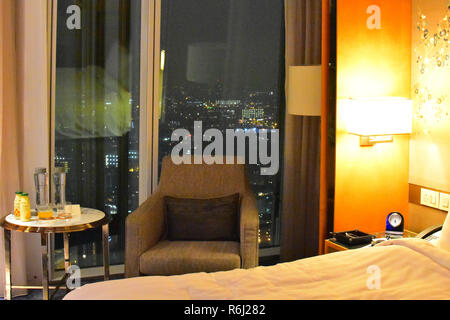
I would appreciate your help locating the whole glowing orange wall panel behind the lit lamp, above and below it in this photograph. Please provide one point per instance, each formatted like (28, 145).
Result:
(373, 181)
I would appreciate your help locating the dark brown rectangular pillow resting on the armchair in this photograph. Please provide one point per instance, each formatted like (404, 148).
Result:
(202, 219)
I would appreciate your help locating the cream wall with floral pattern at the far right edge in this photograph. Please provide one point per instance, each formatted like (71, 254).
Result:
(430, 141)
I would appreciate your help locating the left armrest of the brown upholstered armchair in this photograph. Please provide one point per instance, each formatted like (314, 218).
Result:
(143, 229)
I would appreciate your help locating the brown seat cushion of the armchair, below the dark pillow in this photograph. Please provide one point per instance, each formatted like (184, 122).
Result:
(180, 257)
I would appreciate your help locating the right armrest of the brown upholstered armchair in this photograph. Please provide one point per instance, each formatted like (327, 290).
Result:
(249, 231)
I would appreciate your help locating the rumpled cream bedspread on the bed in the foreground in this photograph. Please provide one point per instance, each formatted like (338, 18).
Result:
(399, 269)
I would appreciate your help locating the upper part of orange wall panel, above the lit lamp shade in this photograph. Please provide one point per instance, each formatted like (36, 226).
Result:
(374, 62)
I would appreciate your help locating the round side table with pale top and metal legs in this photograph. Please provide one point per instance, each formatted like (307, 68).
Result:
(89, 219)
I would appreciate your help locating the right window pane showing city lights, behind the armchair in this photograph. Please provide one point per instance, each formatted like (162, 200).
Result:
(222, 63)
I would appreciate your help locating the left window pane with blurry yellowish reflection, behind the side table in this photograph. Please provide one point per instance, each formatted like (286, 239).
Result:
(96, 116)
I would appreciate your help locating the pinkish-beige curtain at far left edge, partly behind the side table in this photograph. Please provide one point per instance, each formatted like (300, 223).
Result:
(10, 139)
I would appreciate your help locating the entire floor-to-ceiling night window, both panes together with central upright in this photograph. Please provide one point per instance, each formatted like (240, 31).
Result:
(222, 63)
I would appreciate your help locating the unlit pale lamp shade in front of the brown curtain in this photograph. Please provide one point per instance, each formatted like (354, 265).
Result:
(305, 90)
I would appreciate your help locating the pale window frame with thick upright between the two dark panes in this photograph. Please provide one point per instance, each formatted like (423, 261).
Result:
(149, 112)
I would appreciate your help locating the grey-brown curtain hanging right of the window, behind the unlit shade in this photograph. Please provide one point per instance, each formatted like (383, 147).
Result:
(301, 185)
